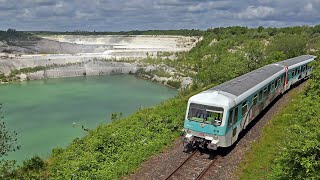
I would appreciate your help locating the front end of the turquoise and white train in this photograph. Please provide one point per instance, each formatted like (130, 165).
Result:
(205, 126)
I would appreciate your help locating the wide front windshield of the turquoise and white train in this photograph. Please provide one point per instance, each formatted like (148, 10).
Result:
(205, 114)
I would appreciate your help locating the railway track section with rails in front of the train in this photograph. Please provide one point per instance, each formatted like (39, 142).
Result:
(194, 167)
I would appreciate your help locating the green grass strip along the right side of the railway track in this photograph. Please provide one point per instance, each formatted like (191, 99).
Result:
(259, 159)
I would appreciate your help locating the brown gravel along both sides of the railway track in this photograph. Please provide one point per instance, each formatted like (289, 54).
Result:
(160, 166)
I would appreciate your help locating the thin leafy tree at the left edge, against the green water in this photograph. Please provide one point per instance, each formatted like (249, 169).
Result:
(8, 140)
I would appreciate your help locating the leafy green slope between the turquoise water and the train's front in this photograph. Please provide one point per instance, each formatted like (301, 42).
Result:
(111, 151)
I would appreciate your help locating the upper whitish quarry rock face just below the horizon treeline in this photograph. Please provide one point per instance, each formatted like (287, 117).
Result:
(64, 49)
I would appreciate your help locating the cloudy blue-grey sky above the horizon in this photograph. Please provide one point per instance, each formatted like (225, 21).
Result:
(124, 15)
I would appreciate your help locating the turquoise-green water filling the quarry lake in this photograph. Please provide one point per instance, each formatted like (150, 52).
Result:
(44, 112)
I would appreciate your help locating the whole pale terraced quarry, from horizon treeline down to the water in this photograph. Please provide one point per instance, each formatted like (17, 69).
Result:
(85, 55)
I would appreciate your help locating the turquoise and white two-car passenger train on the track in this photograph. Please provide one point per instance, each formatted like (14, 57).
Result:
(215, 117)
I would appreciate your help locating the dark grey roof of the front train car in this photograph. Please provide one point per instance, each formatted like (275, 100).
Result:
(247, 81)
